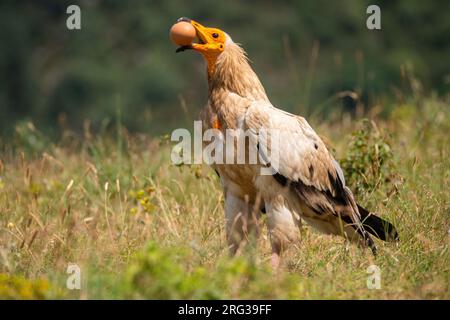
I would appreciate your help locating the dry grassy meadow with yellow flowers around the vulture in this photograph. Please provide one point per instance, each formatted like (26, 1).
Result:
(139, 227)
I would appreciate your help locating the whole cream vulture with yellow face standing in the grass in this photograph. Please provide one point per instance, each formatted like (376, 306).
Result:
(308, 183)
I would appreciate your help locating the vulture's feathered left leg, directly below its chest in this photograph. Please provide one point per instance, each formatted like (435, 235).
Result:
(241, 221)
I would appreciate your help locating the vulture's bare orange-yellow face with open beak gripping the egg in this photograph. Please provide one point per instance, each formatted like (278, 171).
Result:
(211, 41)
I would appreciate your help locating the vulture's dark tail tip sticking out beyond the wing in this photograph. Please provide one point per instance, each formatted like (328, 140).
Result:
(376, 226)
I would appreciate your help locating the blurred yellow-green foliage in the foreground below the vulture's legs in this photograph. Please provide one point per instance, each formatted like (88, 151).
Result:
(169, 273)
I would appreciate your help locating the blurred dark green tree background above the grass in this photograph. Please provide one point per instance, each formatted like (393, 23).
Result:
(307, 54)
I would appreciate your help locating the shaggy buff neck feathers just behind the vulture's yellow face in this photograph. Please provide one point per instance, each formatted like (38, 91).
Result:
(232, 73)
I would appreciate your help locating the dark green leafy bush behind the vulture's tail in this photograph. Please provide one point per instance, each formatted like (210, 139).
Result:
(368, 161)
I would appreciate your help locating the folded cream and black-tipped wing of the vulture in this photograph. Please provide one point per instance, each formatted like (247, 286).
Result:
(304, 164)
